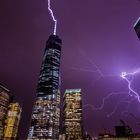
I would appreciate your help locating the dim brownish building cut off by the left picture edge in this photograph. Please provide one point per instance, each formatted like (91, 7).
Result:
(4, 102)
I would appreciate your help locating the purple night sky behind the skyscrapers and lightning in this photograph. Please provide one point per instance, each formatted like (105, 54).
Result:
(95, 34)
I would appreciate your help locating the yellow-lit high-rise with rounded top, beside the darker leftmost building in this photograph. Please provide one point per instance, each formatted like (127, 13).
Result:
(12, 121)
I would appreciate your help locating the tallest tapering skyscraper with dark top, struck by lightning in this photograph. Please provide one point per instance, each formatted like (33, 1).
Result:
(46, 110)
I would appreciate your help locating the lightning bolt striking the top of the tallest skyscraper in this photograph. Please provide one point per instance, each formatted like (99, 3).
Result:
(53, 17)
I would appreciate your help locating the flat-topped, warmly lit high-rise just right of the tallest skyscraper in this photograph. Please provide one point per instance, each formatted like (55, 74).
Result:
(72, 110)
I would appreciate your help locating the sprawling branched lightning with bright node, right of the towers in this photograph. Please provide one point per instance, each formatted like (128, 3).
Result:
(128, 96)
